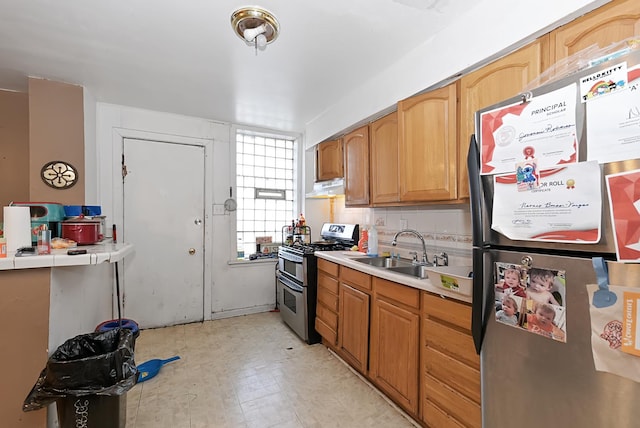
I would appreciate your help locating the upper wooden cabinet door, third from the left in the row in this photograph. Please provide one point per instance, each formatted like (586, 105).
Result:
(383, 141)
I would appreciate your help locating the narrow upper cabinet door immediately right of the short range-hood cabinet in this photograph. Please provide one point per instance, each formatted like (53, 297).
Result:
(356, 167)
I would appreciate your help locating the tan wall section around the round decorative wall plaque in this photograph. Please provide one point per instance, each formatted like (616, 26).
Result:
(56, 132)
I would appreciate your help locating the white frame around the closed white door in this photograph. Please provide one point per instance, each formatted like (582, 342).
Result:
(117, 150)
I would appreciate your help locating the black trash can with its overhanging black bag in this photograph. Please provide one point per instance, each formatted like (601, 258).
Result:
(88, 376)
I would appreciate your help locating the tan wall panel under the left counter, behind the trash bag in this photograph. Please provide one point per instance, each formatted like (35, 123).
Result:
(24, 314)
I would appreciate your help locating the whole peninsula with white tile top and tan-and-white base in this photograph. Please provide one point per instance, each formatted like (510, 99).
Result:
(47, 299)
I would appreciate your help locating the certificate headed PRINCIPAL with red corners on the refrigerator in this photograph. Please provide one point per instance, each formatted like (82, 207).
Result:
(543, 128)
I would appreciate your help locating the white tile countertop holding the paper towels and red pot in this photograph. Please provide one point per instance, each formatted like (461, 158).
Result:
(98, 253)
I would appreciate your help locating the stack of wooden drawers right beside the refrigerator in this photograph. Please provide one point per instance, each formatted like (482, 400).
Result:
(450, 367)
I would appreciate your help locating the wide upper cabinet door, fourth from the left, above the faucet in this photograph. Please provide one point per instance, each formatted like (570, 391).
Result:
(427, 142)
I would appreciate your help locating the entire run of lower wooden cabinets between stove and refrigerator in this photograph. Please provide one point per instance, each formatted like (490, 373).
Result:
(414, 346)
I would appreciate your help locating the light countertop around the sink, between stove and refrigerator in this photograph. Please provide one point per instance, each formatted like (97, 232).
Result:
(346, 258)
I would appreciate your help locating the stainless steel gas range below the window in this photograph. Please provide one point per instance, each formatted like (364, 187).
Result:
(297, 274)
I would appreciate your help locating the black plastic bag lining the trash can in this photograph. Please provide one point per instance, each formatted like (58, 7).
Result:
(99, 363)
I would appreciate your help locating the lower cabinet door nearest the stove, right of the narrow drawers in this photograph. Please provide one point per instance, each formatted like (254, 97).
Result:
(353, 339)
